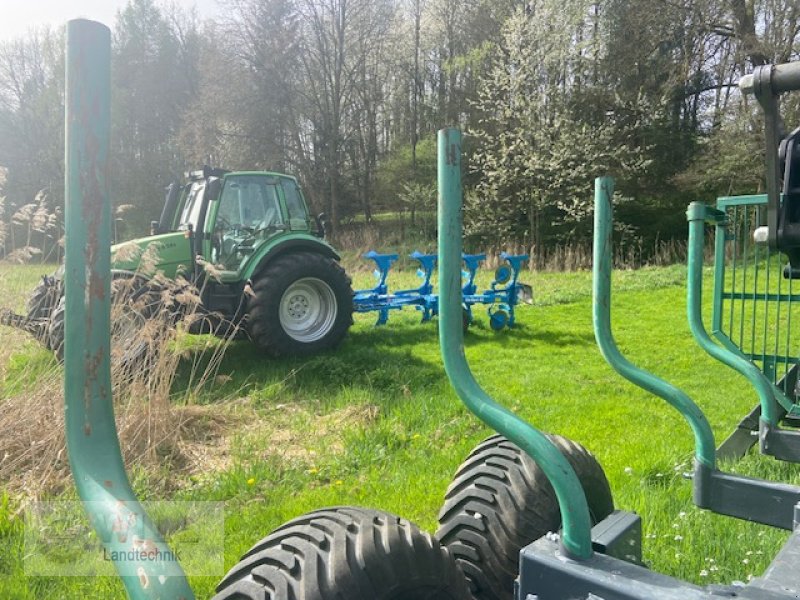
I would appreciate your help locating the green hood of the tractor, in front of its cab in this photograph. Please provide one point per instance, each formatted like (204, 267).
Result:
(169, 253)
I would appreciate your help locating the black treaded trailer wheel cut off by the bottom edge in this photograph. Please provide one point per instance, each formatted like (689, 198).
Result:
(345, 552)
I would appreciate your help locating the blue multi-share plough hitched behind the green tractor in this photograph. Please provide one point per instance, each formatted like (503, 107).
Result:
(503, 296)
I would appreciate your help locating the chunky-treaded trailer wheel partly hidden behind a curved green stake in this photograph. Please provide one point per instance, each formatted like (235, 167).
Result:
(500, 501)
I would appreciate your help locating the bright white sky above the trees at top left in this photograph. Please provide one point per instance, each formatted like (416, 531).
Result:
(18, 16)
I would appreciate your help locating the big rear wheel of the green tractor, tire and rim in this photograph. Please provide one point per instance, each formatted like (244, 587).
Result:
(301, 304)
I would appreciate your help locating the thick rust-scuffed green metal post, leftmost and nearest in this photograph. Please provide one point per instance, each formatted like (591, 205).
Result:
(128, 535)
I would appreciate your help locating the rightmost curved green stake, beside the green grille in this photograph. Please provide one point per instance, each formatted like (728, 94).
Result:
(696, 214)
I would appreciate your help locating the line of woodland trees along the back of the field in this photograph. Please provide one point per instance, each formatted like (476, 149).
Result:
(348, 94)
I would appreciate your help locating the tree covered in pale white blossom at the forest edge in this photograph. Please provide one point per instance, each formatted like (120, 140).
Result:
(541, 141)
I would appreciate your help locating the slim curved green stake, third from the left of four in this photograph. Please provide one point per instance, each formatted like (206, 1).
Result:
(601, 306)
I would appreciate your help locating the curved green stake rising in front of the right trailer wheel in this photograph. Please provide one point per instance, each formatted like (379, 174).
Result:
(576, 536)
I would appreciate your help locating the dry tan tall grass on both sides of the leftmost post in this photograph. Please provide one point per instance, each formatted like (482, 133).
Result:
(155, 427)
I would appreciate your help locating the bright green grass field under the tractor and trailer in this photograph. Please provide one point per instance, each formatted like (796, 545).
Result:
(376, 424)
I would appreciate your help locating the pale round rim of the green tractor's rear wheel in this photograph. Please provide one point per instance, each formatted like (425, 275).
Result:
(308, 310)
